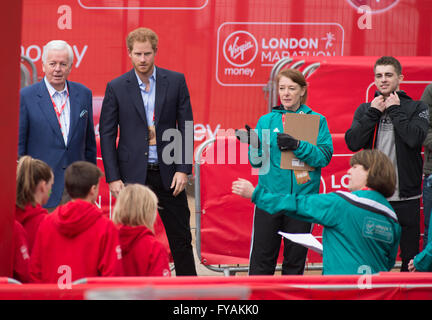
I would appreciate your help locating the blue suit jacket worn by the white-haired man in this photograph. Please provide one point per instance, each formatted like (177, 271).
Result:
(40, 135)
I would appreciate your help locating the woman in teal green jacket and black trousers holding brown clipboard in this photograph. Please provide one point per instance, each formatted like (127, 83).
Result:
(267, 143)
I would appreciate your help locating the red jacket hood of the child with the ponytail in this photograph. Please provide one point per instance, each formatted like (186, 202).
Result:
(30, 218)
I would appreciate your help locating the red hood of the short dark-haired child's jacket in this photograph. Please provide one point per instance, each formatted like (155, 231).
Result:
(75, 217)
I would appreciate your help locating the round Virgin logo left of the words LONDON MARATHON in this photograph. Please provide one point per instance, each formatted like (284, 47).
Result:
(240, 48)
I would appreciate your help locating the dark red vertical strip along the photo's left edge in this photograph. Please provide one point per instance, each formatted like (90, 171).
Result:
(10, 26)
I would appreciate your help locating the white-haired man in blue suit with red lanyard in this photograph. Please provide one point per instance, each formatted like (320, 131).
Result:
(56, 118)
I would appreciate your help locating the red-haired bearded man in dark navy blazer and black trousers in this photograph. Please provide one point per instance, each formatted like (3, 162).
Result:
(150, 105)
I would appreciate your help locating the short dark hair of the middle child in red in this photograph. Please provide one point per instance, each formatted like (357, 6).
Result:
(80, 176)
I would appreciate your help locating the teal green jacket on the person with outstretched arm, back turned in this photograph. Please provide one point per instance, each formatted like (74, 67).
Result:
(355, 239)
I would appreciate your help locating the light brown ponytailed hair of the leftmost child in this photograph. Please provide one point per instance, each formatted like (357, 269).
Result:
(29, 173)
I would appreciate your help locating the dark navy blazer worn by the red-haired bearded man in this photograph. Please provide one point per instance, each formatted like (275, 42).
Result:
(123, 107)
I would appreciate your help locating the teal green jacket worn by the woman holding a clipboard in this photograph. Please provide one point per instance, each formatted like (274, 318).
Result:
(268, 157)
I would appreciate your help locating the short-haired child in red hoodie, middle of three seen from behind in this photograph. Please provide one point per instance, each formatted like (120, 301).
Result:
(76, 240)
